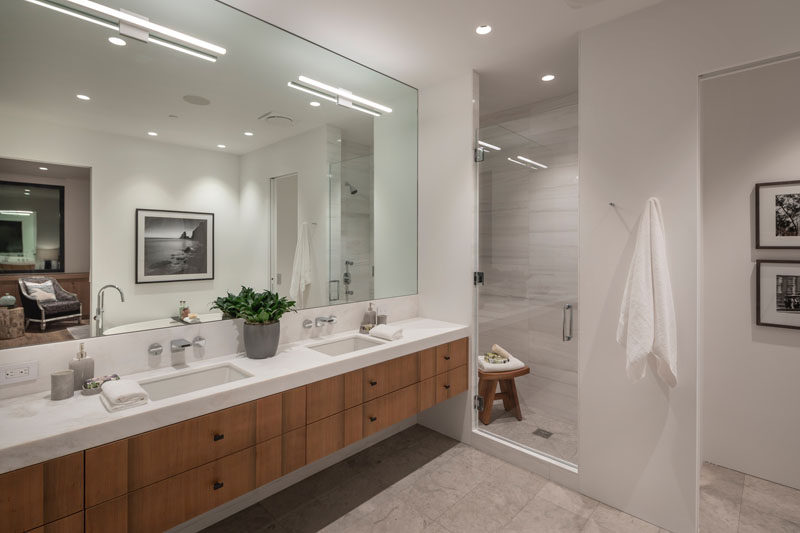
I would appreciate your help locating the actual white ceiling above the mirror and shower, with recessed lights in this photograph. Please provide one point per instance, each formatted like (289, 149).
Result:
(423, 42)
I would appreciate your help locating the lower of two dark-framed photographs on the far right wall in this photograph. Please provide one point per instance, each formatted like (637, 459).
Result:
(778, 294)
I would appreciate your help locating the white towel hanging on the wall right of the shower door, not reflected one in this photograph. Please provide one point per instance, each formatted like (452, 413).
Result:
(647, 315)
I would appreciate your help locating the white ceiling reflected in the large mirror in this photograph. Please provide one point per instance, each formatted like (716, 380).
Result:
(49, 57)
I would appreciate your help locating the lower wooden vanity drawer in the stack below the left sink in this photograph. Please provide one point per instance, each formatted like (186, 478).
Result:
(176, 499)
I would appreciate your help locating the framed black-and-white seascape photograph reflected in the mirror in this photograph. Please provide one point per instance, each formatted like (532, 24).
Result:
(174, 246)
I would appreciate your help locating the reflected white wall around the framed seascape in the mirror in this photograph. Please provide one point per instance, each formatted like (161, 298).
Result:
(130, 173)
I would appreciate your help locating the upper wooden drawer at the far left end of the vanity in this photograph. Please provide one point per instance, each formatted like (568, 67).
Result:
(42, 493)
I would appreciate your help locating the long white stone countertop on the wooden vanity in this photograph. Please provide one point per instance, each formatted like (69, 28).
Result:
(33, 428)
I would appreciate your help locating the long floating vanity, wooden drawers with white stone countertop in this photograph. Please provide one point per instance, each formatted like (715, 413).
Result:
(153, 467)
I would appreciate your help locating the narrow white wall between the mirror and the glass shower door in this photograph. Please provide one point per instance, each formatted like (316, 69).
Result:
(448, 117)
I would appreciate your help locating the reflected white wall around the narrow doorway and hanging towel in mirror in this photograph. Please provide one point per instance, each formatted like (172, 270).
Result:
(306, 155)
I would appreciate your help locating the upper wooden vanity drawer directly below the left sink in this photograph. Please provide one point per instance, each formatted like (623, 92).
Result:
(164, 452)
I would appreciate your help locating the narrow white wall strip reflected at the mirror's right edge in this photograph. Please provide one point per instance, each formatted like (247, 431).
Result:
(395, 199)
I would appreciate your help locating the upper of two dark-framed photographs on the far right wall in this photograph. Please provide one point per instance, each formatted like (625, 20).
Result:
(778, 214)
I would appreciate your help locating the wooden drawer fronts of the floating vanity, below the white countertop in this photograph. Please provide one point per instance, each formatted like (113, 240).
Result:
(161, 478)
